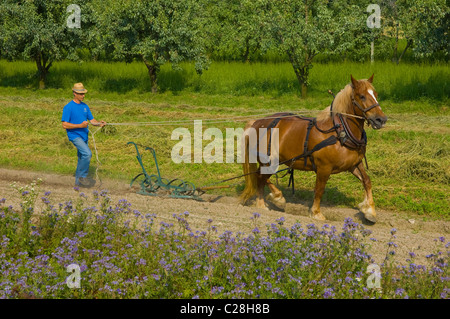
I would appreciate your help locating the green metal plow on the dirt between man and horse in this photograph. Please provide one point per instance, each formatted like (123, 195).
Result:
(155, 185)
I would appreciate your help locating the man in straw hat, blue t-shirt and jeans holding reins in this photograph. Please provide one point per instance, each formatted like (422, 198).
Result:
(76, 115)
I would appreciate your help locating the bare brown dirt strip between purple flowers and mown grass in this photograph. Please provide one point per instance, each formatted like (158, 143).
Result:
(413, 232)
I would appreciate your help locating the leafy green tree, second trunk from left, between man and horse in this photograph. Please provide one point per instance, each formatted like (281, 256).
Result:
(155, 32)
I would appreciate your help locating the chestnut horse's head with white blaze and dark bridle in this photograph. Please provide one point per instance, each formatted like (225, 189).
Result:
(365, 98)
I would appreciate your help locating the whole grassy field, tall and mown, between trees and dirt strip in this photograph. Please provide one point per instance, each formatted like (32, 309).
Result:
(409, 159)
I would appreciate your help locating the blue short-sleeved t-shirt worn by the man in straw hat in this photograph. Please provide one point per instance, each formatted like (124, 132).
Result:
(76, 114)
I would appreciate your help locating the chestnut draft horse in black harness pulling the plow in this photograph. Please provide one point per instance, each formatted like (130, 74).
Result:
(333, 142)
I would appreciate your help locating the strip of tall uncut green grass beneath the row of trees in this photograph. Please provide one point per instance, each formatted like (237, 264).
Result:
(404, 82)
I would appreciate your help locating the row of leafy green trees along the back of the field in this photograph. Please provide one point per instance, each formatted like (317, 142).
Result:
(160, 31)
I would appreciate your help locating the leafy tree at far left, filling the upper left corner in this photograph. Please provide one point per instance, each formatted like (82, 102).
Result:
(37, 30)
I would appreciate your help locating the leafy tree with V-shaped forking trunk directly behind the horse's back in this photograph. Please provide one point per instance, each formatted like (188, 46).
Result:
(304, 28)
